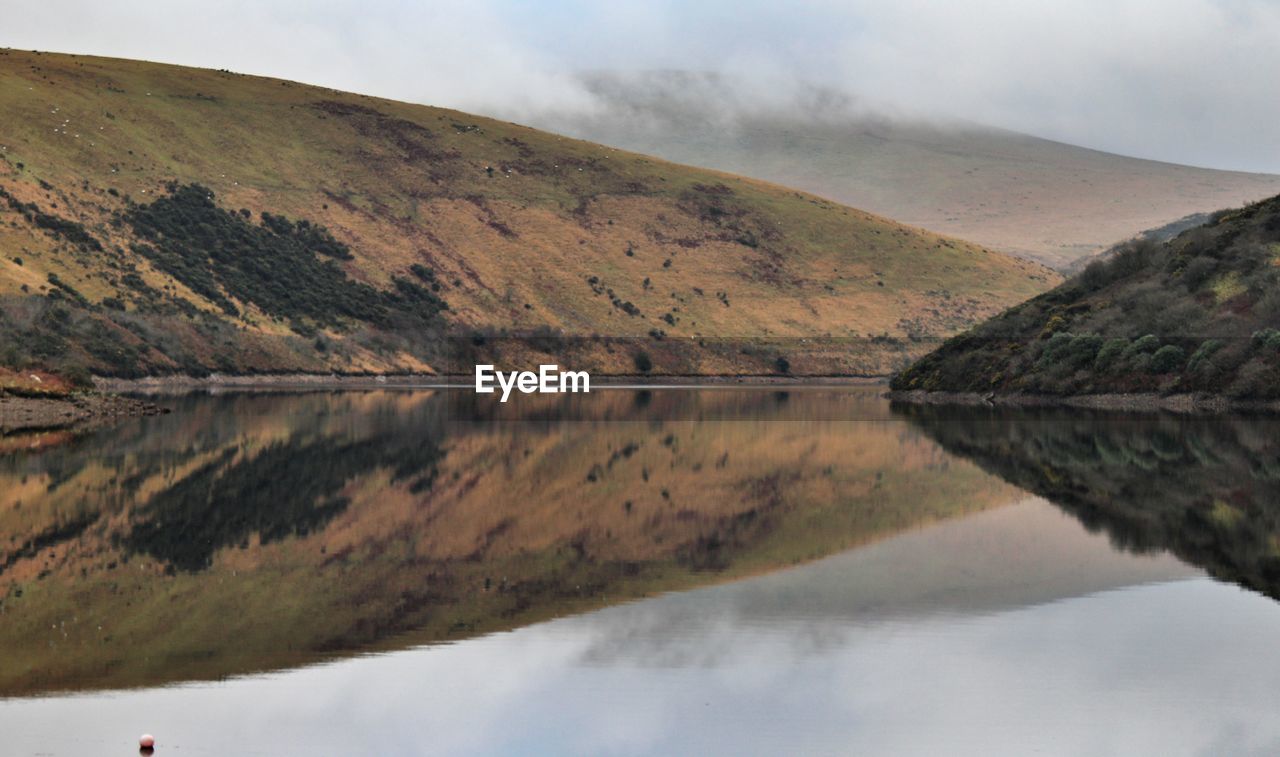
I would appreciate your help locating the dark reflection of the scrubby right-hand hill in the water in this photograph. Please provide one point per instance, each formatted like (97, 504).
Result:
(1208, 490)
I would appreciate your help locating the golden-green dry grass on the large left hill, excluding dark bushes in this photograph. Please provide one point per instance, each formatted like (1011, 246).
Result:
(514, 247)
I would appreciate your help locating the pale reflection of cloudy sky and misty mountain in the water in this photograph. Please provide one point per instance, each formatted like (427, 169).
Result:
(821, 659)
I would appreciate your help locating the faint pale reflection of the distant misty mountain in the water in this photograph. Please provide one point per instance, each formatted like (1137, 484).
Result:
(996, 562)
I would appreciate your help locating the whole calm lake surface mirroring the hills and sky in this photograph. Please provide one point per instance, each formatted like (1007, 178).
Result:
(669, 572)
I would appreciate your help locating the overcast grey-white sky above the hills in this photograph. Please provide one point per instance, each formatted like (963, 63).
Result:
(1187, 81)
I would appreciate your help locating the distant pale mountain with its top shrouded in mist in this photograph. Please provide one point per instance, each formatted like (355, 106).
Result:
(1035, 198)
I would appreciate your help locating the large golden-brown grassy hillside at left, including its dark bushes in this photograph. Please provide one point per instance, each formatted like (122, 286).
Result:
(163, 220)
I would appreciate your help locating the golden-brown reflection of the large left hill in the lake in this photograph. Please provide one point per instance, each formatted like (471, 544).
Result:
(246, 533)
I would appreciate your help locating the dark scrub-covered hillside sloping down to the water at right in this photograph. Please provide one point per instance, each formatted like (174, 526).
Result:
(1199, 314)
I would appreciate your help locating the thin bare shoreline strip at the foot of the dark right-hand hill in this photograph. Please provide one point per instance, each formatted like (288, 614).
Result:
(1186, 404)
